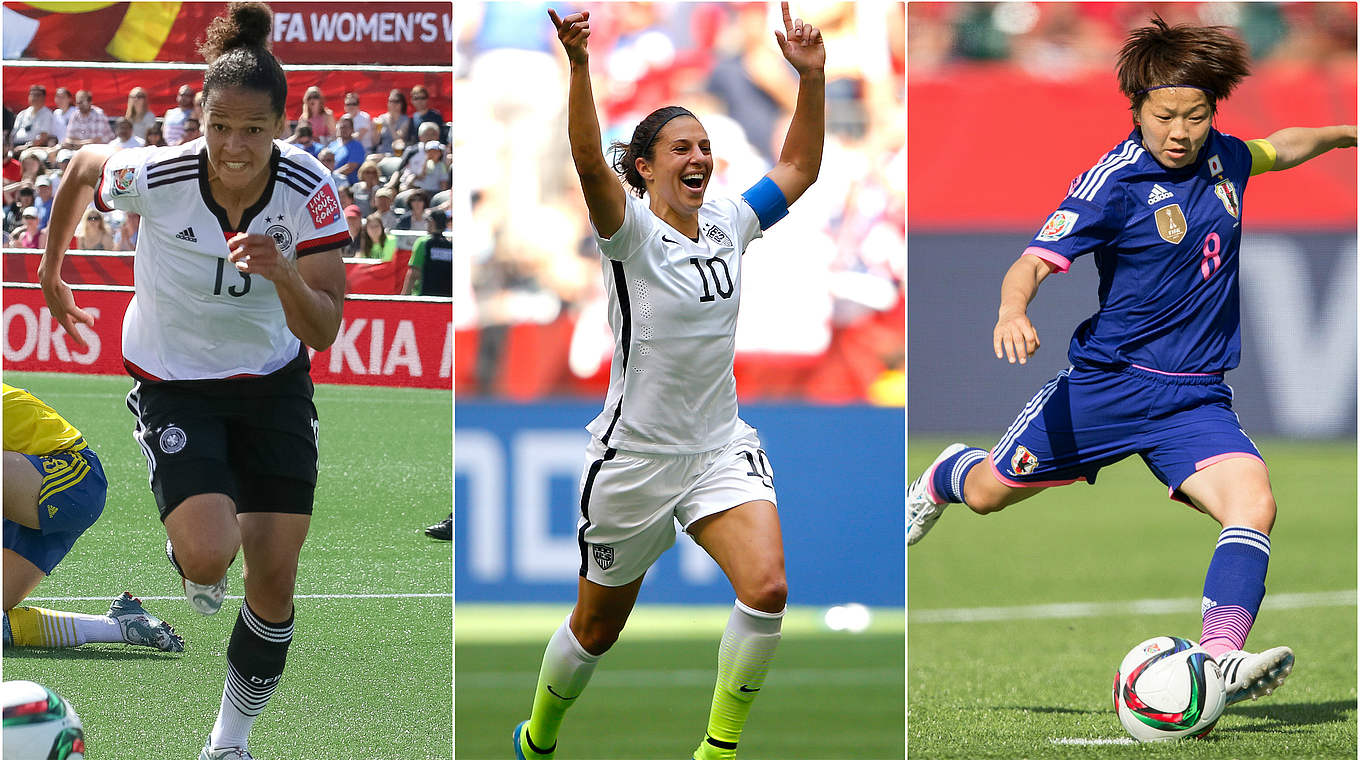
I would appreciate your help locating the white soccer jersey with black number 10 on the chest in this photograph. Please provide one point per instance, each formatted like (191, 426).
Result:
(674, 311)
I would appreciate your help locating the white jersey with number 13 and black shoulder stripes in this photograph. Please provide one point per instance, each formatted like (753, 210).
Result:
(194, 315)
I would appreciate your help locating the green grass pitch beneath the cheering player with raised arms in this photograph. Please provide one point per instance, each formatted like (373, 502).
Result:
(829, 697)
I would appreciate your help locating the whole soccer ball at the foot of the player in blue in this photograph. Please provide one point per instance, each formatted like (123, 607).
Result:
(1169, 689)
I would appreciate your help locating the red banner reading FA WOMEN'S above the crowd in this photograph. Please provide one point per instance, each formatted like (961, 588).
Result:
(395, 33)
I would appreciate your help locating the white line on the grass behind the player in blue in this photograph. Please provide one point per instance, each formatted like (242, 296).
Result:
(1097, 610)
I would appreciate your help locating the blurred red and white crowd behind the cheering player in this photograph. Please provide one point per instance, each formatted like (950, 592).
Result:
(825, 290)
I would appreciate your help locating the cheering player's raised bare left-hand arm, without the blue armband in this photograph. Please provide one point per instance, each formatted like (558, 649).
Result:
(605, 195)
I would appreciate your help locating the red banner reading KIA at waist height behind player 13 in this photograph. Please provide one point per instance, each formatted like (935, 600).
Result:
(386, 342)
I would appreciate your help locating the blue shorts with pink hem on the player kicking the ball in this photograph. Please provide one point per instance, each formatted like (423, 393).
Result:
(1086, 419)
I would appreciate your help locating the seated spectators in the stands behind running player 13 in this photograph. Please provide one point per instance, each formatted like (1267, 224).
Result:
(392, 171)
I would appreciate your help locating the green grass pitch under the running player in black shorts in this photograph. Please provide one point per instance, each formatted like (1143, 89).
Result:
(368, 678)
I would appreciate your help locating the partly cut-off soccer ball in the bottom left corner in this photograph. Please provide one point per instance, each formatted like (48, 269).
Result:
(39, 724)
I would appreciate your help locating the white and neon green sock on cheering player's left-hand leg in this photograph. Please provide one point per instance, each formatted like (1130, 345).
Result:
(565, 674)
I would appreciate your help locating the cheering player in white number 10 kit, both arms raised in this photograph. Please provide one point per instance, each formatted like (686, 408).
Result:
(668, 444)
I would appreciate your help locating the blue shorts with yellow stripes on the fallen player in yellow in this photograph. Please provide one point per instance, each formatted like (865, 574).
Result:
(71, 500)
